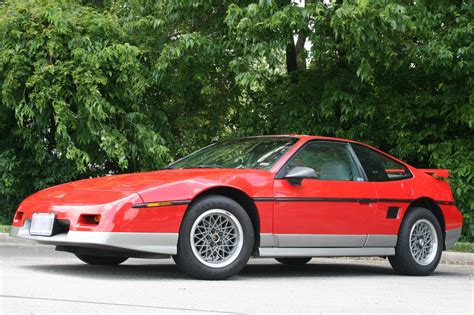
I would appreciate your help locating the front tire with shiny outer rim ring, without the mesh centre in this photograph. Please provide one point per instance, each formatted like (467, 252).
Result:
(193, 264)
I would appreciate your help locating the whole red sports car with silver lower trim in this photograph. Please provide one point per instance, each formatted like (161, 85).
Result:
(287, 197)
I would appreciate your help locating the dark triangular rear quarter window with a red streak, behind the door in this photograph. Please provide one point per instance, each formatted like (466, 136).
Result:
(378, 167)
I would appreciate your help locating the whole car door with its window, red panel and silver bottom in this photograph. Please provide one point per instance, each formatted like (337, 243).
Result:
(333, 209)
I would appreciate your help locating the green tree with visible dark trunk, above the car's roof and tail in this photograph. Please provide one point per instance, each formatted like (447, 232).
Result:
(396, 74)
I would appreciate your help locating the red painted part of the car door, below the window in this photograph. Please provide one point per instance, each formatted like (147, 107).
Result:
(323, 217)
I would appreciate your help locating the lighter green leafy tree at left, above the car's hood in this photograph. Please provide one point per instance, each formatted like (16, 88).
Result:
(71, 90)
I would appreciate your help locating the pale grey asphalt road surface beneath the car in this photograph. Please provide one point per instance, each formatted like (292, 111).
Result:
(37, 279)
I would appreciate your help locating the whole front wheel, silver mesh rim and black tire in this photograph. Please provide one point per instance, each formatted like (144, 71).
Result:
(216, 239)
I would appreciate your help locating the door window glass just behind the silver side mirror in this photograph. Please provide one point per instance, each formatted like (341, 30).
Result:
(330, 161)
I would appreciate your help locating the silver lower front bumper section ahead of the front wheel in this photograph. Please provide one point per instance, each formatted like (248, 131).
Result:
(132, 242)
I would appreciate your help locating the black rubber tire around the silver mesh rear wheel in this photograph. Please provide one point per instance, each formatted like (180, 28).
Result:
(404, 261)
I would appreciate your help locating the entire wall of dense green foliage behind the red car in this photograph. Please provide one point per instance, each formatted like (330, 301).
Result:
(92, 87)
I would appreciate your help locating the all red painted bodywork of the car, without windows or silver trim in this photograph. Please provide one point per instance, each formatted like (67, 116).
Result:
(112, 197)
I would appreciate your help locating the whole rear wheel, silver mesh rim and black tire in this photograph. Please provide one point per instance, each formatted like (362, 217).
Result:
(419, 244)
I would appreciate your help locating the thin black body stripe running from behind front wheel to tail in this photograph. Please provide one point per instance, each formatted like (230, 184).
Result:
(360, 200)
